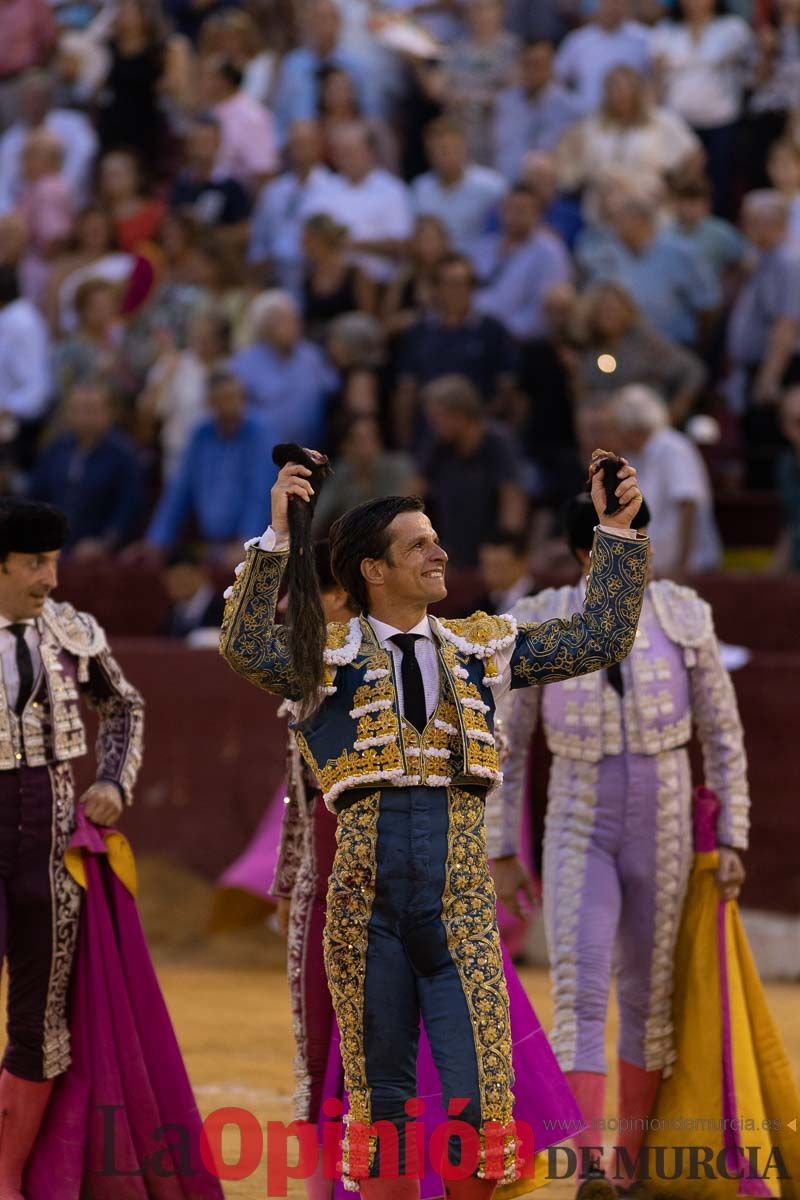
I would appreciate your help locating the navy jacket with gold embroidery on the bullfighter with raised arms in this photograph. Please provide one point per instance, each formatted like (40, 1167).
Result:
(358, 737)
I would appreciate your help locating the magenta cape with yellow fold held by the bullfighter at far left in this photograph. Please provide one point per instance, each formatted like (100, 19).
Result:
(123, 1123)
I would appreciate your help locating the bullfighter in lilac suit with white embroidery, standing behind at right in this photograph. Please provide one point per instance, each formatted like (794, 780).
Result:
(618, 839)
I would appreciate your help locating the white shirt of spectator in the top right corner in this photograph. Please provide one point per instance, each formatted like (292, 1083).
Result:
(705, 80)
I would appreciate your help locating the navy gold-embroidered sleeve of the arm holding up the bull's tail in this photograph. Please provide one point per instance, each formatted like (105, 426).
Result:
(251, 643)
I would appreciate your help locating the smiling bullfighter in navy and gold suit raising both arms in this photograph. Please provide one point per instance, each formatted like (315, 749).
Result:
(401, 740)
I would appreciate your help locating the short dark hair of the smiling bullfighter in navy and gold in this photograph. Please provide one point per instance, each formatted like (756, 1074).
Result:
(363, 533)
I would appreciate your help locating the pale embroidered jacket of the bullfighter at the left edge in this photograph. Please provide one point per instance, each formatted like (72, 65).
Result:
(76, 662)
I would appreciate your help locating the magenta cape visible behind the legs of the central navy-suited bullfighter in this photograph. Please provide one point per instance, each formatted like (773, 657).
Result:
(543, 1097)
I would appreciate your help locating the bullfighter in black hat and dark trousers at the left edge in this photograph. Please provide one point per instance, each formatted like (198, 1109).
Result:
(51, 656)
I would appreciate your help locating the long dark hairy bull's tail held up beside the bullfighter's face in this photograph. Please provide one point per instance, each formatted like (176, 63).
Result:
(306, 620)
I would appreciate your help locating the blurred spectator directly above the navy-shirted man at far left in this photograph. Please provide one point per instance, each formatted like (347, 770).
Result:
(93, 351)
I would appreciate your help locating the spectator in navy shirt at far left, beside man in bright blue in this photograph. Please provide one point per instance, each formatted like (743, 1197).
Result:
(93, 475)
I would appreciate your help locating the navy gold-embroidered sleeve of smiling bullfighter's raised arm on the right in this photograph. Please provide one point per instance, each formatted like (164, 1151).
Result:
(599, 637)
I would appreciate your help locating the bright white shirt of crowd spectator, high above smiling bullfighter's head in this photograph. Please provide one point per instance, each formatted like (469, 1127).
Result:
(376, 209)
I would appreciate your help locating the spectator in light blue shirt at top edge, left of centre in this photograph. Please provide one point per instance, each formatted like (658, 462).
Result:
(298, 88)
